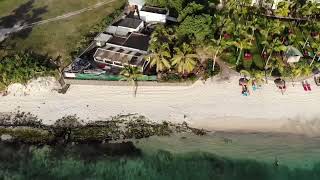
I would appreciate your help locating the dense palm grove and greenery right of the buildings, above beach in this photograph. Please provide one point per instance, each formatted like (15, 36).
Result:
(240, 34)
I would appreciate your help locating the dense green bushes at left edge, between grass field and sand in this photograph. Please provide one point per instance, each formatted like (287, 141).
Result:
(22, 67)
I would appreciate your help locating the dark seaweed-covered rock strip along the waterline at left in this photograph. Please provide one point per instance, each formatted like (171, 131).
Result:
(28, 129)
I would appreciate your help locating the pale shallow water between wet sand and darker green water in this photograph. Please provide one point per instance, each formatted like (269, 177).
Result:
(294, 151)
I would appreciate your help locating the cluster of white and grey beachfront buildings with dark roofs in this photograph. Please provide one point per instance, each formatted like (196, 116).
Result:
(124, 43)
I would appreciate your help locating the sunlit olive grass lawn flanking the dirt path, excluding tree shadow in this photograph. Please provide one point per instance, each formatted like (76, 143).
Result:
(60, 37)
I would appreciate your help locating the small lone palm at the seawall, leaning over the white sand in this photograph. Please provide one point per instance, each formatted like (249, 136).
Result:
(132, 73)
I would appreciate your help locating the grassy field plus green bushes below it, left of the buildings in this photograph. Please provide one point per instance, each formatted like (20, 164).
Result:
(20, 58)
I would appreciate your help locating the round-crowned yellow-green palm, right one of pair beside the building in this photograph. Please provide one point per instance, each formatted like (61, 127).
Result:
(184, 60)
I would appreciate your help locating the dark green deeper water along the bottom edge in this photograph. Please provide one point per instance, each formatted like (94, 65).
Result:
(41, 163)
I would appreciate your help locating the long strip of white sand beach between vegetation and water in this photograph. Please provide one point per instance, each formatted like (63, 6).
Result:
(213, 105)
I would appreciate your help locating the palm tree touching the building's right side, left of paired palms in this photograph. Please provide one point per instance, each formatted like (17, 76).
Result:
(160, 53)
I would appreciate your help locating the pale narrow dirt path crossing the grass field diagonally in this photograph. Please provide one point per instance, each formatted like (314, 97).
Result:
(4, 32)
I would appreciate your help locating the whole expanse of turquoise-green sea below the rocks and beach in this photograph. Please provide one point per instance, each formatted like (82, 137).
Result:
(221, 156)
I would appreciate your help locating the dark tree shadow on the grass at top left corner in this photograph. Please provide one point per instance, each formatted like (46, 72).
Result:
(22, 15)
